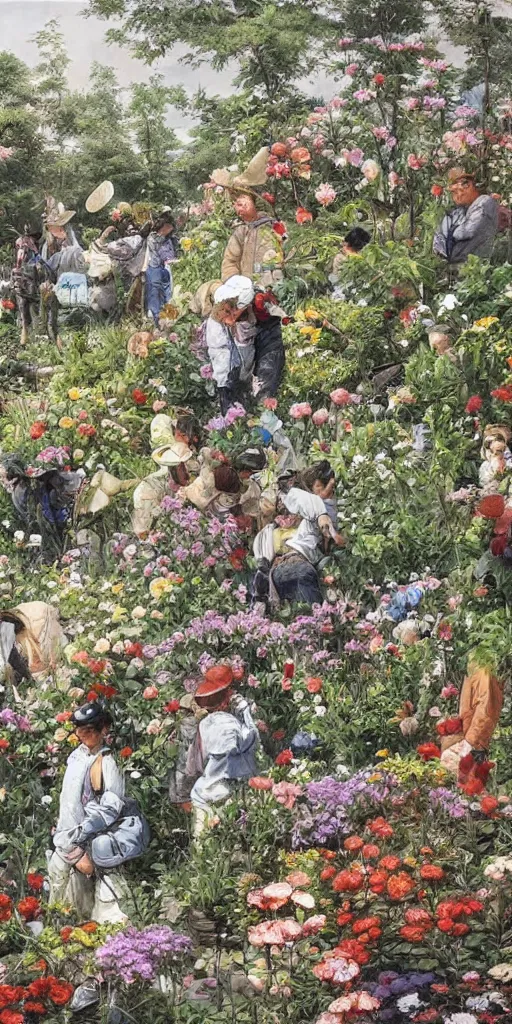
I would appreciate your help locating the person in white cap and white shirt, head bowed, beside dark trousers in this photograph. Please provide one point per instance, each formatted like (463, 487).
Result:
(230, 333)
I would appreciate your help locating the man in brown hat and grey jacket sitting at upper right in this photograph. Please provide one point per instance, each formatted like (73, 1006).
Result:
(471, 229)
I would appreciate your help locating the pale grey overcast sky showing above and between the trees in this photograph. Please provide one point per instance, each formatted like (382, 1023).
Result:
(20, 20)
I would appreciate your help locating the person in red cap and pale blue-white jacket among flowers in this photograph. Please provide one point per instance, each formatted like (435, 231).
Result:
(226, 746)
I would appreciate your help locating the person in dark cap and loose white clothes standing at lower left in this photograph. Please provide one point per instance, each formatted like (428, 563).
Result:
(93, 787)
